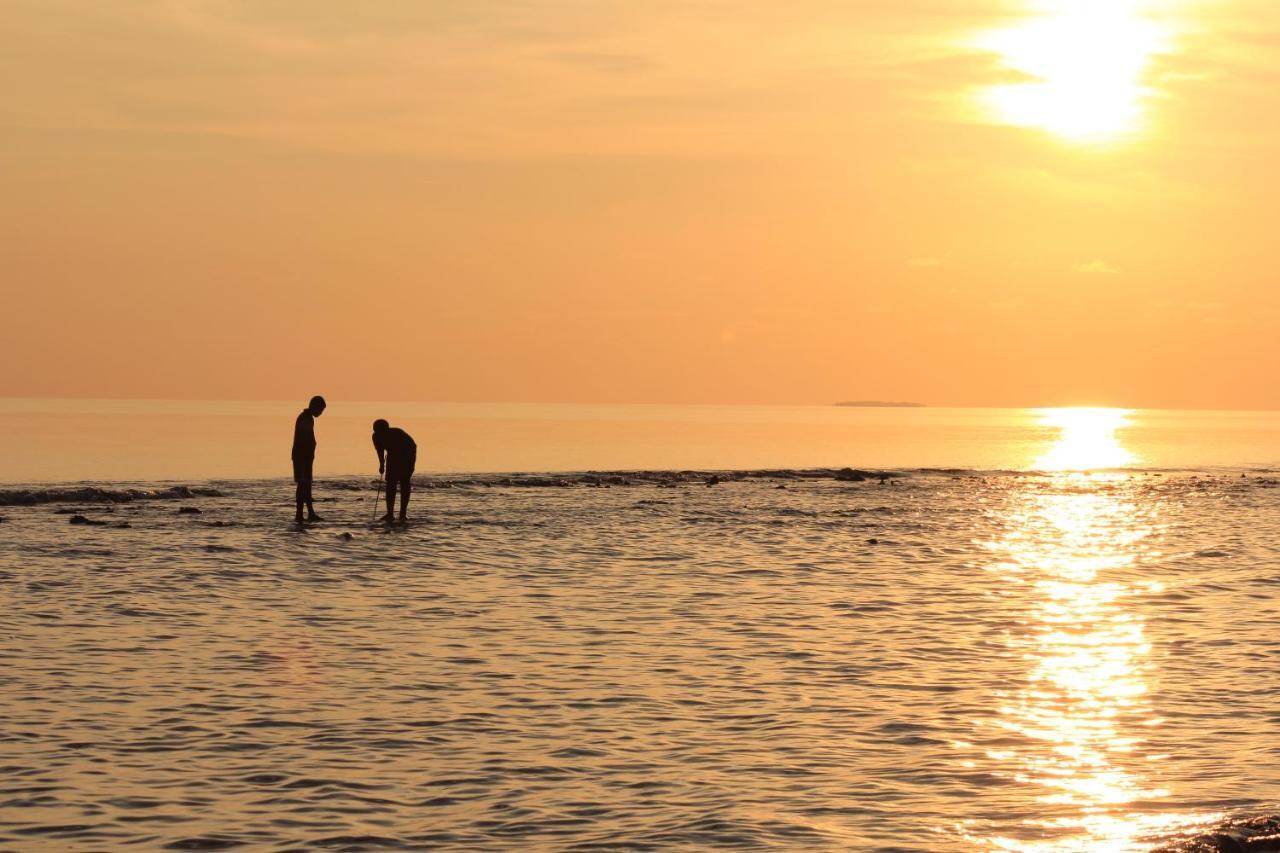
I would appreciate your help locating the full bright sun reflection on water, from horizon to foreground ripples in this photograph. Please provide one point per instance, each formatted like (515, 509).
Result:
(1073, 737)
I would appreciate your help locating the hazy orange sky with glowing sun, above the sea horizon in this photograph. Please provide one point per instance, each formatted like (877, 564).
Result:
(967, 203)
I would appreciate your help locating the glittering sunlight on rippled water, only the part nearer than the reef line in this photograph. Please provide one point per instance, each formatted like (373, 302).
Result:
(1089, 656)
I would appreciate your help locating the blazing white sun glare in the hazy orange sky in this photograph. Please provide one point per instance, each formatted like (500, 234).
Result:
(1085, 65)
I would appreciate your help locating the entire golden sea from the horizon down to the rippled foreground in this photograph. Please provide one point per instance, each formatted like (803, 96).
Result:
(641, 628)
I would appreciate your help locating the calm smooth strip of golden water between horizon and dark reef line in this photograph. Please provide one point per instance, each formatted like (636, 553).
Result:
(191, 441)
